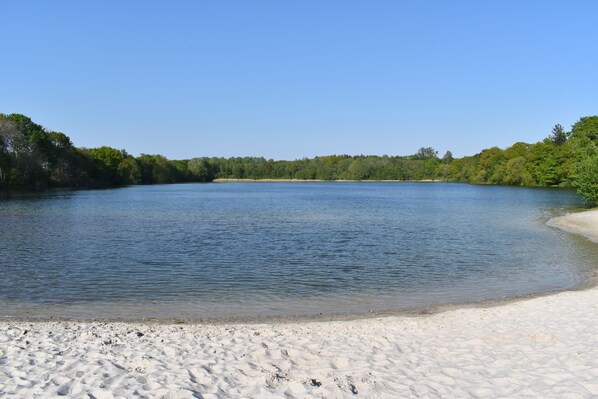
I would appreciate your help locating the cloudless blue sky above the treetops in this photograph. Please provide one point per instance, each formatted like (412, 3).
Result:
(293, 79)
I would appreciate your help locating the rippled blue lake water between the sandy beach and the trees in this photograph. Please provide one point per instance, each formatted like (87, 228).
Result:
(270, 249)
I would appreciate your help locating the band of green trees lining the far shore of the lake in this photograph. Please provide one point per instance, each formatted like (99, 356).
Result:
(31, 156)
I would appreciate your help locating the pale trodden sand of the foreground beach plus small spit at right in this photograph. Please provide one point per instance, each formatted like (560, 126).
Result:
(544, 347)
